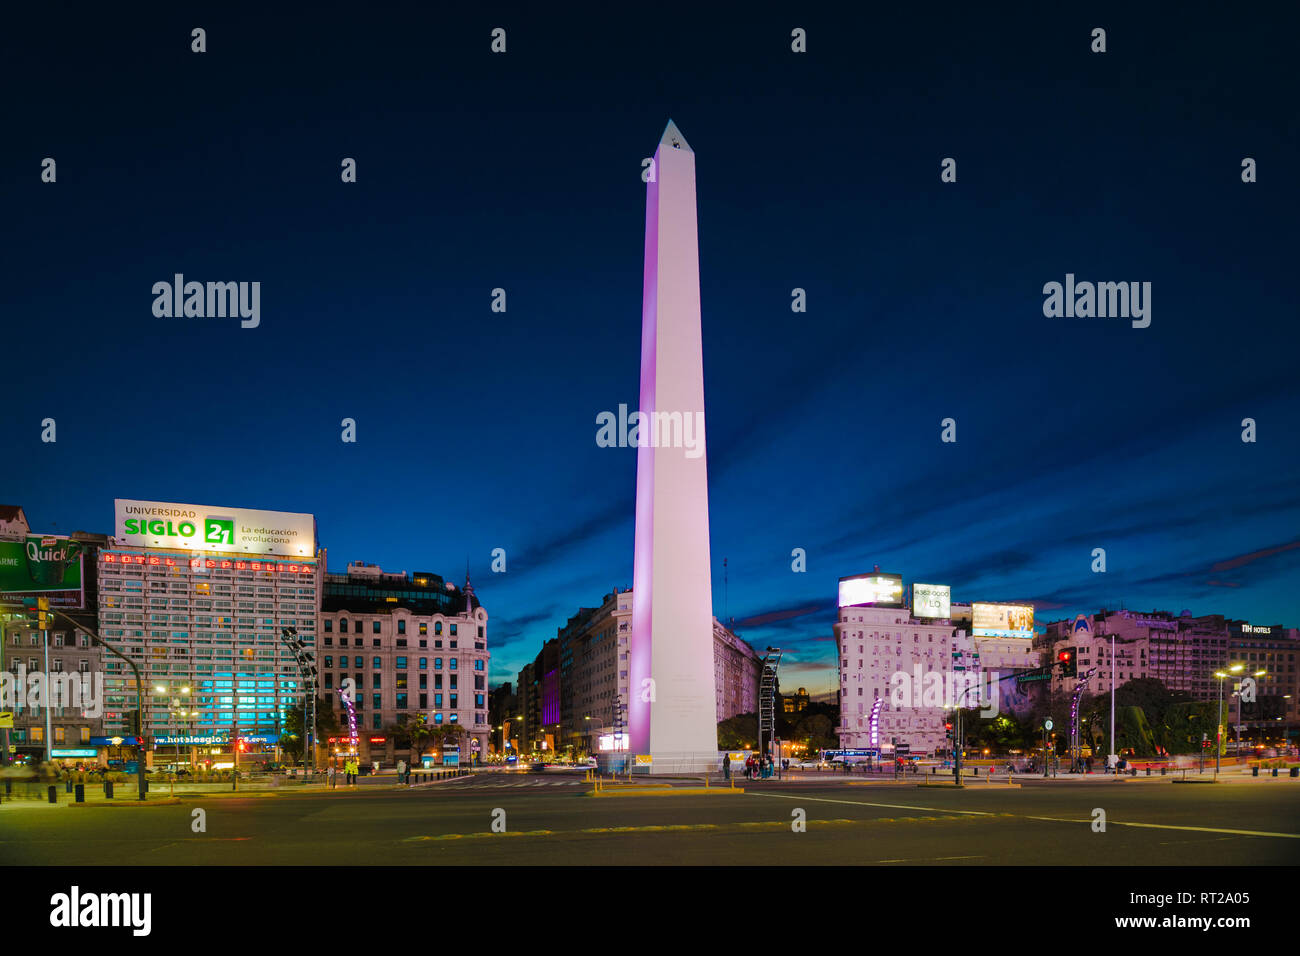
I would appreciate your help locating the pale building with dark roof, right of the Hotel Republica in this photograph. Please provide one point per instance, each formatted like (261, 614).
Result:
(413, 644)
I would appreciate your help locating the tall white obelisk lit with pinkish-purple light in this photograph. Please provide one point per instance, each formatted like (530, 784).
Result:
(673, 708)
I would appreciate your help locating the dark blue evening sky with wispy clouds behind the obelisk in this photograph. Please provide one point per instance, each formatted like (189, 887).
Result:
(821, 171)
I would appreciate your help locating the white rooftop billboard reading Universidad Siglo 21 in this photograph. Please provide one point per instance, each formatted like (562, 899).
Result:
(207, 529)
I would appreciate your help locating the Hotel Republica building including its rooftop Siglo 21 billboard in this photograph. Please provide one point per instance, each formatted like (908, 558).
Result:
(200, 600)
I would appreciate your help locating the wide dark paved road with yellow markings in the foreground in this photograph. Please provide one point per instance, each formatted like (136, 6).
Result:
(554, 821)
